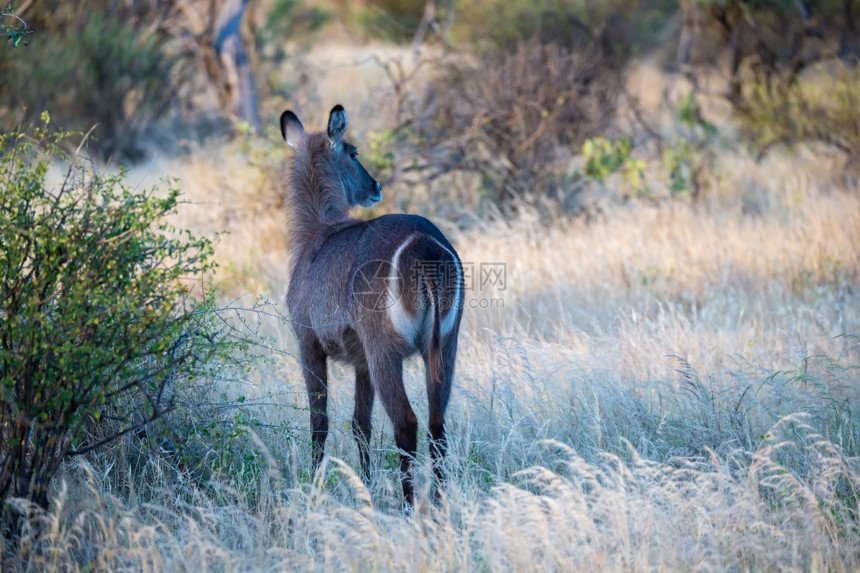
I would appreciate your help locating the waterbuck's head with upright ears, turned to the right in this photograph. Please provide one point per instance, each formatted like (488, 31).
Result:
(333, 158)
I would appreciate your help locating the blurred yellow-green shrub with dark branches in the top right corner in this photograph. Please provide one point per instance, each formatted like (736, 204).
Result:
(792, 74)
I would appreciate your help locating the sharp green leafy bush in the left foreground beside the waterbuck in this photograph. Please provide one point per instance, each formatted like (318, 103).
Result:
(98, 329)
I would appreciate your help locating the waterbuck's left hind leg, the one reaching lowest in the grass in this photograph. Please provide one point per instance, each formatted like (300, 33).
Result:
(386, 374)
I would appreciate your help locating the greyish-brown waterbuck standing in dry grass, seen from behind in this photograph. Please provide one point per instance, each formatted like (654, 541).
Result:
(368, 293)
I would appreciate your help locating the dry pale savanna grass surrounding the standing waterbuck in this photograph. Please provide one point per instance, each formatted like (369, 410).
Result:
(655, 382)
